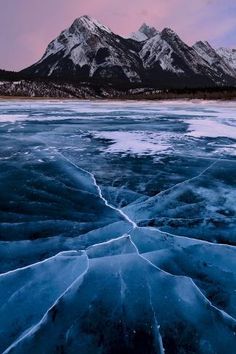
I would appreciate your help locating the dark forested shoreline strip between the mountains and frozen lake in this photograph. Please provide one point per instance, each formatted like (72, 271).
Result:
(42, 90)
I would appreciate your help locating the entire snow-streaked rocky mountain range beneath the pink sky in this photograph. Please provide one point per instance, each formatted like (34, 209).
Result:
(89, 50)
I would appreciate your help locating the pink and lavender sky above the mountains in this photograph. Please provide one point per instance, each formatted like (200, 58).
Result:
(27, 26)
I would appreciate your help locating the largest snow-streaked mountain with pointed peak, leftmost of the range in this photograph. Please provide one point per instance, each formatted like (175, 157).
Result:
(88, 49)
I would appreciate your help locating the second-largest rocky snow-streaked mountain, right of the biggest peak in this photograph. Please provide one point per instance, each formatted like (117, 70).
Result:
(167, 57)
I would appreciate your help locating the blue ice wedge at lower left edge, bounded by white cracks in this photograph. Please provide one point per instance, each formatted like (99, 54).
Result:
(27, 293)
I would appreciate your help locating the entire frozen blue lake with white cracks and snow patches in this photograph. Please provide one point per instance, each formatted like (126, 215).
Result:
(117, 227)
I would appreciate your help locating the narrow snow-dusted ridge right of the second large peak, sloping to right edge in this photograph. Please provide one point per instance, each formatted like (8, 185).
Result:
(217, 62)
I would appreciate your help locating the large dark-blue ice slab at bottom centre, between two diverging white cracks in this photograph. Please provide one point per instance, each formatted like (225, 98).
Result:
(136, 308)
